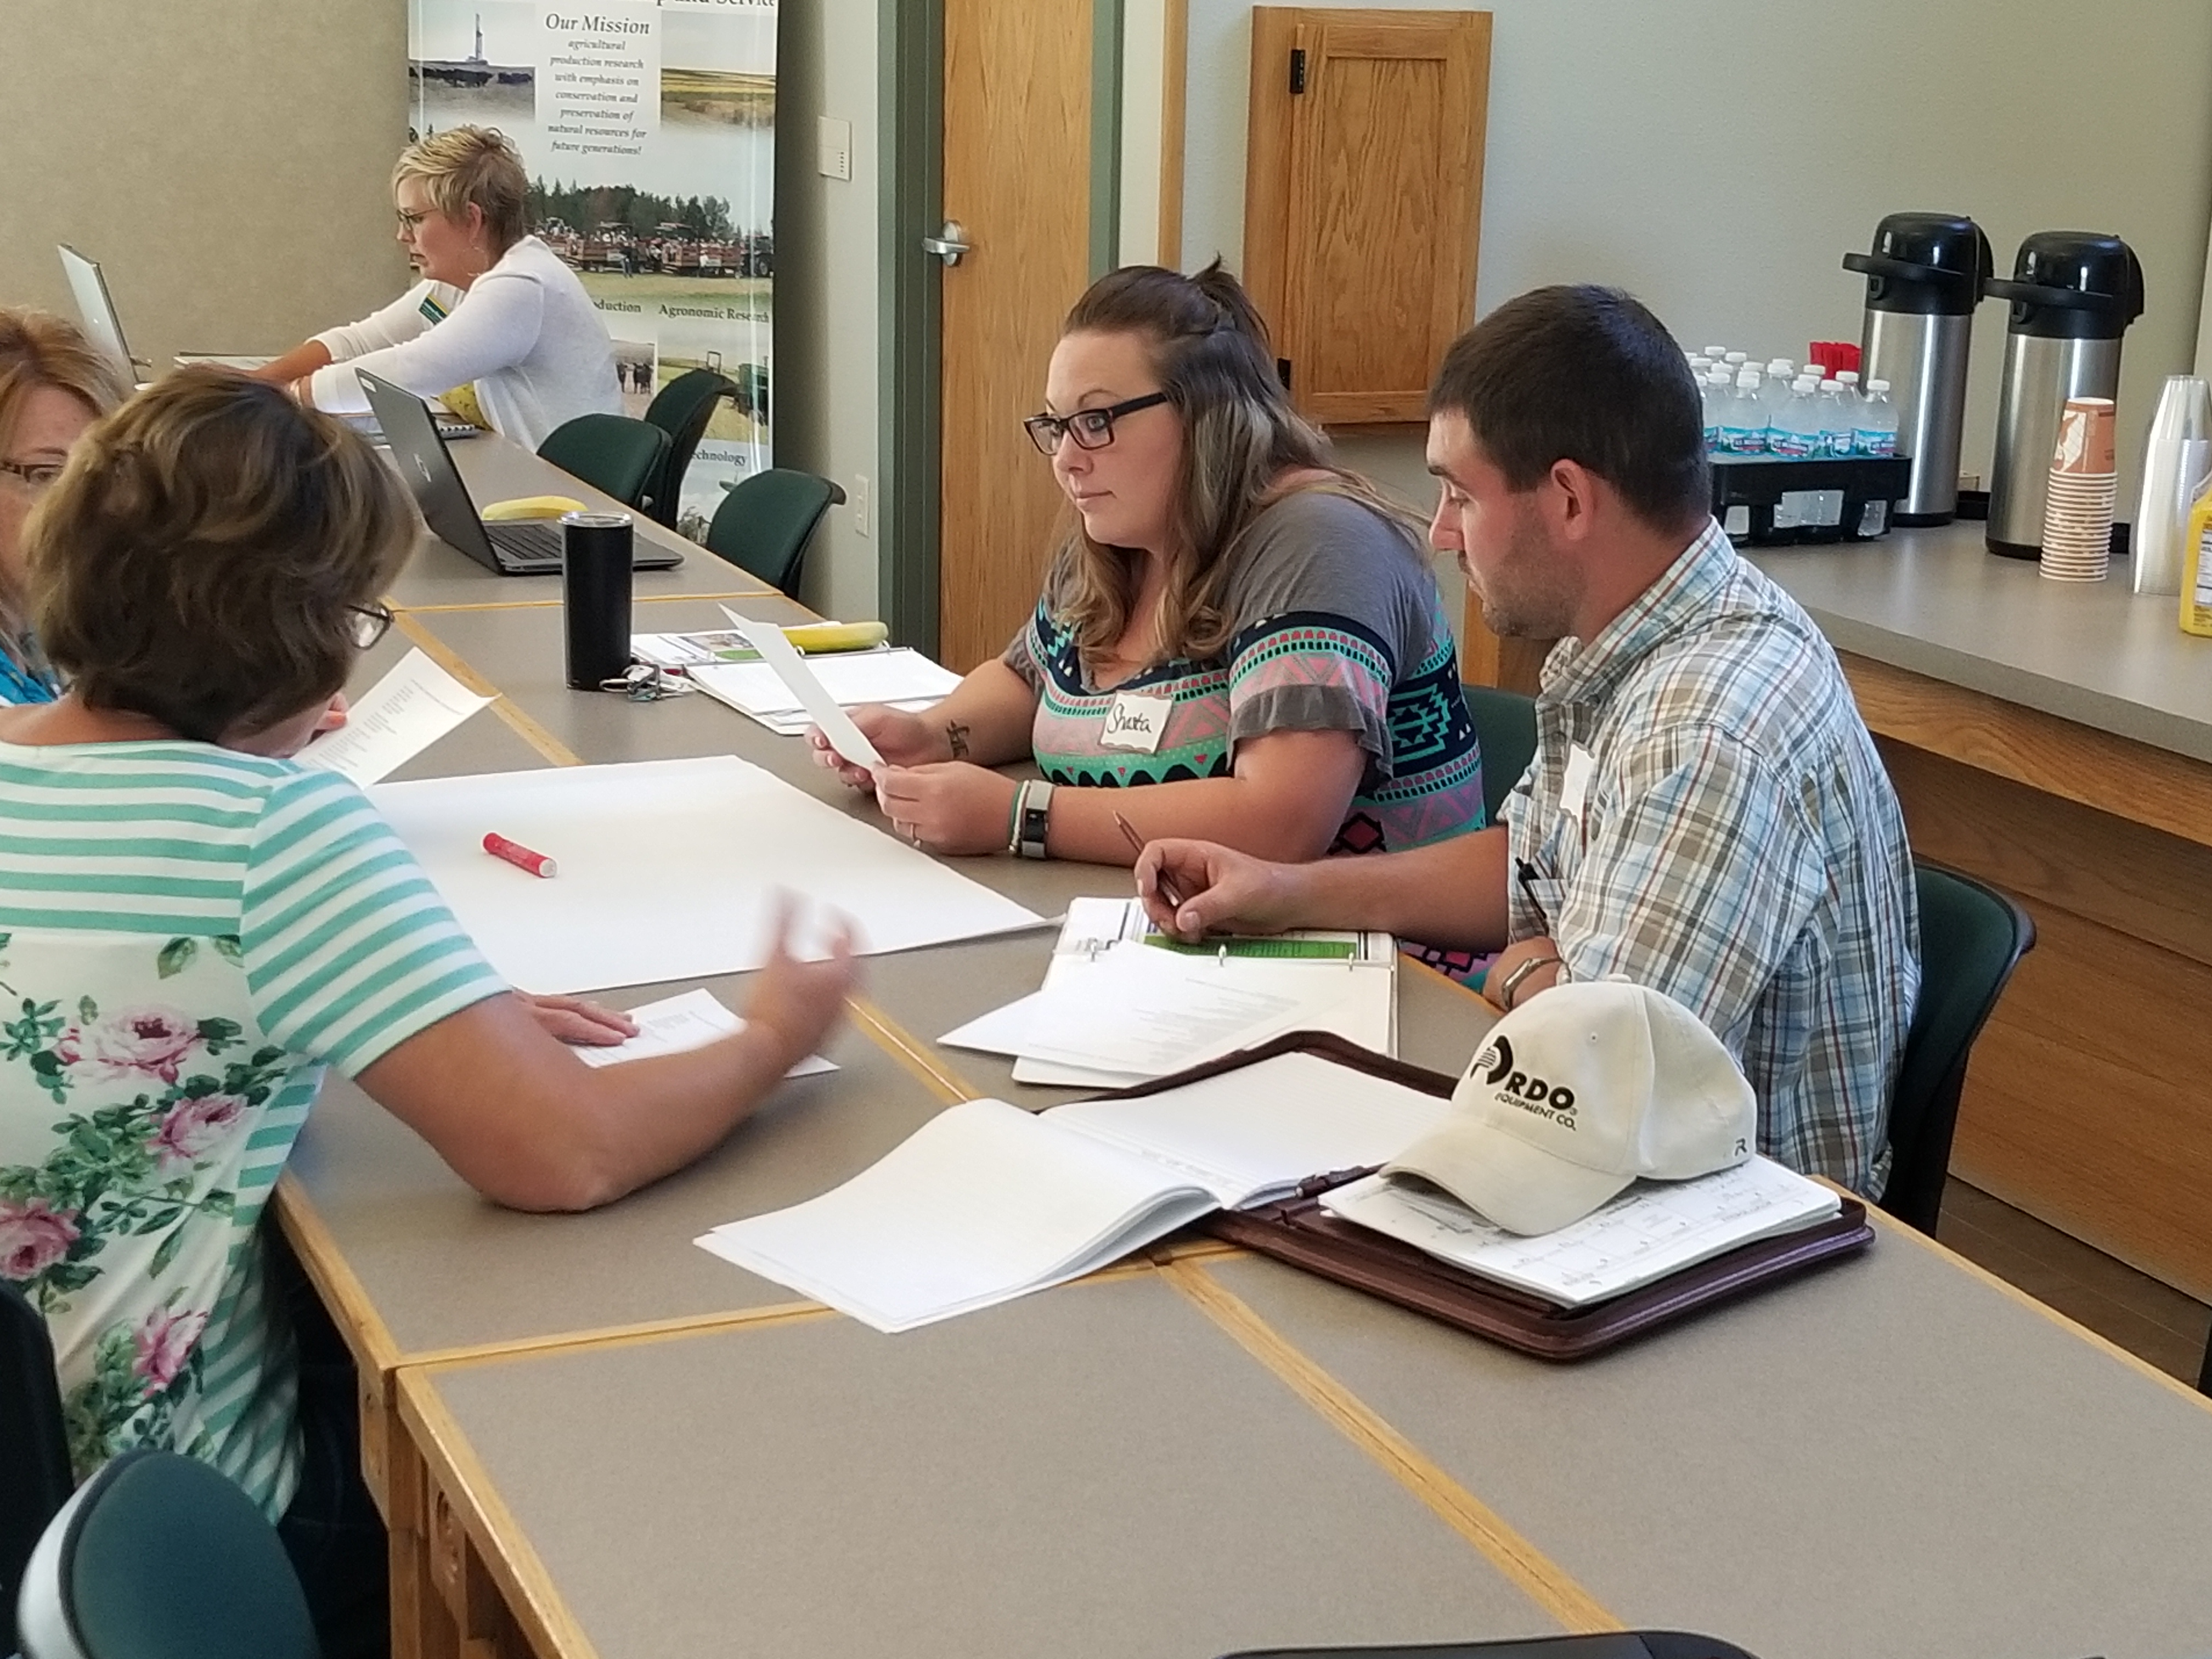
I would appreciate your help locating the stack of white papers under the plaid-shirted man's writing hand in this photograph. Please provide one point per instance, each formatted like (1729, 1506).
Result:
(1123, 1005)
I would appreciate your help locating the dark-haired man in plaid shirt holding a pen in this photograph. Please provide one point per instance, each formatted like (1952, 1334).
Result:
(1707, 813)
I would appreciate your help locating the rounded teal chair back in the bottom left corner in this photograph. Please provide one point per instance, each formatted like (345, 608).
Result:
(163, 1558)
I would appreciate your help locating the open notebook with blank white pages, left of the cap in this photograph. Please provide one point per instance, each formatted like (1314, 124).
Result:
(985, 1202)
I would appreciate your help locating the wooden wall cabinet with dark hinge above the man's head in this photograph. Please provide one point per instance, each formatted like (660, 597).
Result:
(1364, 200)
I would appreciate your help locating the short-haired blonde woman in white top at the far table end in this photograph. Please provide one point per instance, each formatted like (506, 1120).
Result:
(497, 320)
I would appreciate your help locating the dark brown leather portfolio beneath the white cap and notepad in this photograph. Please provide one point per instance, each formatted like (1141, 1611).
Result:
(1304, 1235)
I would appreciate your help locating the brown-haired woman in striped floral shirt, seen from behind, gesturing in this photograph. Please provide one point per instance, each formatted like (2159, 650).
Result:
(196, 928)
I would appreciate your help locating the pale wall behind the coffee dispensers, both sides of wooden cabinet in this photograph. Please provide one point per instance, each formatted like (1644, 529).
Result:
(1722, 156)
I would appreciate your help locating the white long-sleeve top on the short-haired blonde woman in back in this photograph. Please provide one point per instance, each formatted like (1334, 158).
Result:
(525, 335)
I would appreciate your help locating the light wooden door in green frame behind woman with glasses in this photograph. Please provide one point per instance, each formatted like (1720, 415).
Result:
(1016, 180)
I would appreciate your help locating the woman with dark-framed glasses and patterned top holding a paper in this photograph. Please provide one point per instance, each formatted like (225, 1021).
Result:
(1231, 618)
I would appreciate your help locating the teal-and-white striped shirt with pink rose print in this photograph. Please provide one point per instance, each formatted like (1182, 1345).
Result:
(189, 937)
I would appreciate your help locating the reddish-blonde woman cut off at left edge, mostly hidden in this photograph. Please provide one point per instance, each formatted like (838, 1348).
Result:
(54, 384)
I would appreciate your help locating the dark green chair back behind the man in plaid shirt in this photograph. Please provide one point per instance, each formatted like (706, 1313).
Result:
(1972, 937)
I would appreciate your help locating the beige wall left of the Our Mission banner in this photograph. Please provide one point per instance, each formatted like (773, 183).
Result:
(225, 160)
